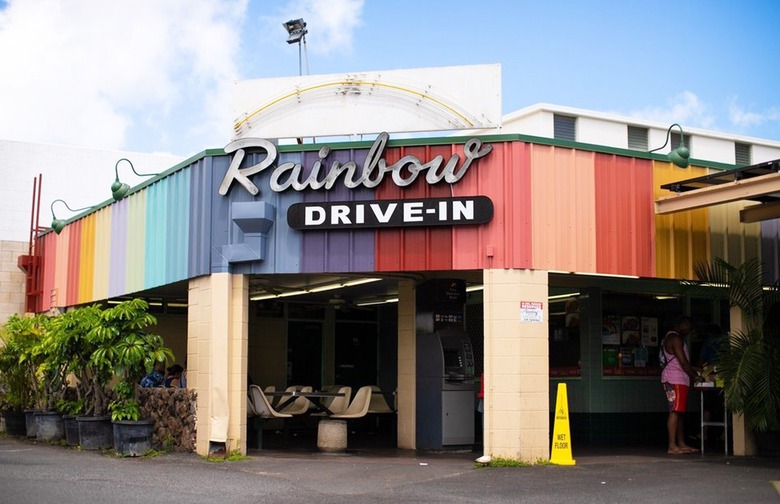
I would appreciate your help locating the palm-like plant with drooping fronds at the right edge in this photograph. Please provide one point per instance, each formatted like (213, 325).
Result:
(749, 360)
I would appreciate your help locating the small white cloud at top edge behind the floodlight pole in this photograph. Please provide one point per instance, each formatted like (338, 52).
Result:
(331, 23)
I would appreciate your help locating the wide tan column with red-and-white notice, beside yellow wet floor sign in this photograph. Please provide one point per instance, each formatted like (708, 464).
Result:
(516, 362)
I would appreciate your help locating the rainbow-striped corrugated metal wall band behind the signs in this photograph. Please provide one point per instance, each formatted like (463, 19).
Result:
(556, 208)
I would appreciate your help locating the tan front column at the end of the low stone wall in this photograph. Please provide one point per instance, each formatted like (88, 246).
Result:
(217, 349)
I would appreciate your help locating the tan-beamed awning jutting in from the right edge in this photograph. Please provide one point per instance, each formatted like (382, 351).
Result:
(759, 182)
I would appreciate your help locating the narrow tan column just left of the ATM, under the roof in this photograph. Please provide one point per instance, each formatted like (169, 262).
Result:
(407, 374)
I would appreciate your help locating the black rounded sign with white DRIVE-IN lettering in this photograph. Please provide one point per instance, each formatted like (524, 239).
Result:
(391, 213)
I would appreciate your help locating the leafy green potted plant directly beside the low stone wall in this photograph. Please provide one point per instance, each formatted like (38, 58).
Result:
(133, 352)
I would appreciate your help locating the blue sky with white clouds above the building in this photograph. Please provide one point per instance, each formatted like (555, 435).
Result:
(156, 76)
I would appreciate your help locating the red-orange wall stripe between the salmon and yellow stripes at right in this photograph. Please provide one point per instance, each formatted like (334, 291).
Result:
(625, 234)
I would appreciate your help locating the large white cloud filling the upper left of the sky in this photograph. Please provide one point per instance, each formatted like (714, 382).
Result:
(78, 72)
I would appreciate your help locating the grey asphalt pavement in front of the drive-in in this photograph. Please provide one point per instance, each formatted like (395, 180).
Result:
(32, 472)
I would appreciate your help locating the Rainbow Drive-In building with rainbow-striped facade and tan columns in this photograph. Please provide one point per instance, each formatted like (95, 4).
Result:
(304, 262)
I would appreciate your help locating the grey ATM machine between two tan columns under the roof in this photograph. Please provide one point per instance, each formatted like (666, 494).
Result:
(445, 367)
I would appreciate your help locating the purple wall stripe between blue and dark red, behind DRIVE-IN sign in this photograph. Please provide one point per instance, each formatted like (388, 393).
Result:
(338, 251)
